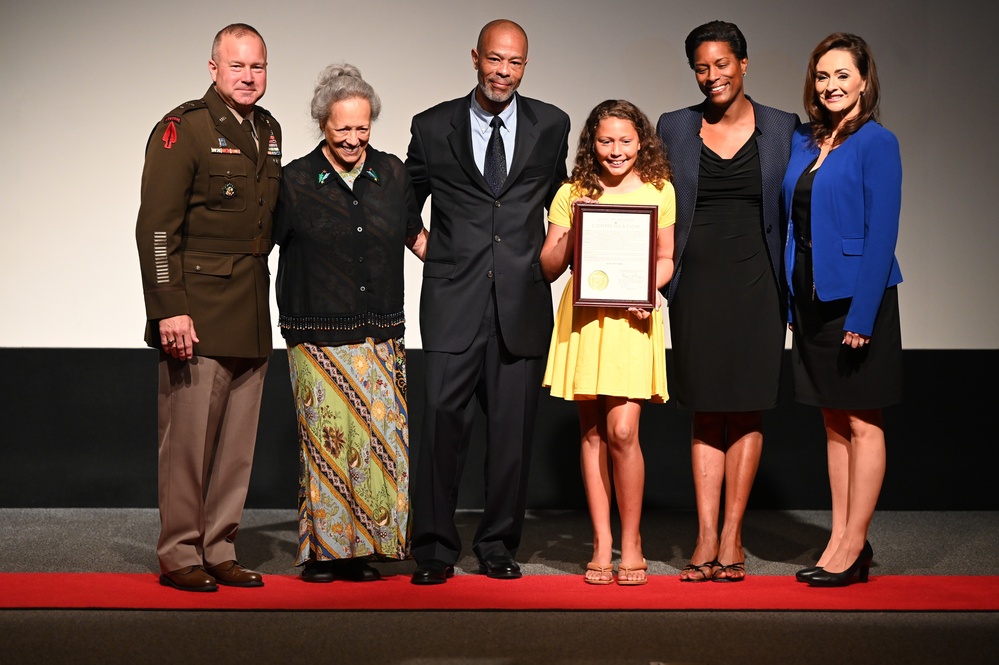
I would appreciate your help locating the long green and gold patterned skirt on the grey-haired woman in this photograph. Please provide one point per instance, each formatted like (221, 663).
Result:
(353, 430)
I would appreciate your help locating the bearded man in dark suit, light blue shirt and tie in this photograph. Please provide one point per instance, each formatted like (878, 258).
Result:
(490, 162)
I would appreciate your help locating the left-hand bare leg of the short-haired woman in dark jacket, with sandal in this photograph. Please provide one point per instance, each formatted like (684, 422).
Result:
(707, 456)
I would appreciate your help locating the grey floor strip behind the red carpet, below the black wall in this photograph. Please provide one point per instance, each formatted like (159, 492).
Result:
(555, 542)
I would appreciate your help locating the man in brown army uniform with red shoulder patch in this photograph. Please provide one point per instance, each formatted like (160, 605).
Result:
(209, 186)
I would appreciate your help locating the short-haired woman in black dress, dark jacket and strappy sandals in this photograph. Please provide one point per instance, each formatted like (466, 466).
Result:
(726, 298)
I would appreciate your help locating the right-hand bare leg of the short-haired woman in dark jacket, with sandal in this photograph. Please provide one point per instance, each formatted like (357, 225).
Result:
(742, 459)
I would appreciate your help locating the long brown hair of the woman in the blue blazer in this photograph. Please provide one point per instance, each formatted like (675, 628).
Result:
(870, 99)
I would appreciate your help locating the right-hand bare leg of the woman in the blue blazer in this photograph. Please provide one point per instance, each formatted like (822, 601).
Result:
(866, 472)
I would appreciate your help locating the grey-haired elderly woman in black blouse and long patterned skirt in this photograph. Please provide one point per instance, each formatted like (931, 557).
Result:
(342, 222)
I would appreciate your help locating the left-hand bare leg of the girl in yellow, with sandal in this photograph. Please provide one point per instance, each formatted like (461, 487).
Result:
(594, 458)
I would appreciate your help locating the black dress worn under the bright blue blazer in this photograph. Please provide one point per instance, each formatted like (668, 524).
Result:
(827, 373)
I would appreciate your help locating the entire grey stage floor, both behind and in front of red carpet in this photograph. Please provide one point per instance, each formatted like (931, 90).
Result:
(777, 543)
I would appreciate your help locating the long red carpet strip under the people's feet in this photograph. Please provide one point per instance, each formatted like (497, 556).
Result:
(475, 592)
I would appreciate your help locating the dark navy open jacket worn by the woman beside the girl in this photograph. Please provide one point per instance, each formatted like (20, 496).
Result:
(680, 133)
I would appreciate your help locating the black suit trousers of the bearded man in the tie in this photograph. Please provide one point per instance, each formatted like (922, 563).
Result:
(507, 389)
